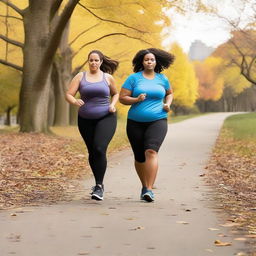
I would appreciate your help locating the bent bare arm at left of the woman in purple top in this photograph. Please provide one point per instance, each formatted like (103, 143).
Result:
(73, 88)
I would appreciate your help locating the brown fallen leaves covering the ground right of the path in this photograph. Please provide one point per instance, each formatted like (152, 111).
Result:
(232, 172)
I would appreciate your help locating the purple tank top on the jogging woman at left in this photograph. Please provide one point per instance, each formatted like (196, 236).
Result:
(96, 96)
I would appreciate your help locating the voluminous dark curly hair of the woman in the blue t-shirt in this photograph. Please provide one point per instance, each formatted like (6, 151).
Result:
(163, 59)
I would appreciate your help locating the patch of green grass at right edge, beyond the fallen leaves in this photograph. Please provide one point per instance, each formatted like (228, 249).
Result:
(242, 126)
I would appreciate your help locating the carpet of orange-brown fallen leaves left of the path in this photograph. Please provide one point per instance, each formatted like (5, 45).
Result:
(37, 168)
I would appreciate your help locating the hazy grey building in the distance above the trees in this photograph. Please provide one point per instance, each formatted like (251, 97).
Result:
(199, 51)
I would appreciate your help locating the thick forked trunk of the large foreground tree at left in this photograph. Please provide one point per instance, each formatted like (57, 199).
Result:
(42, 38)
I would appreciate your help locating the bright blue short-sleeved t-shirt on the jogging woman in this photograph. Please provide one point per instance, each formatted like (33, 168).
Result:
(151, 108)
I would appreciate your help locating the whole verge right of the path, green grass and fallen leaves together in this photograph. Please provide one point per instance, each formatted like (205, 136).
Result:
(232, 172)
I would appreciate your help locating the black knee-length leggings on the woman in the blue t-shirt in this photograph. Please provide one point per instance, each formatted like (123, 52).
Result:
(145, 135)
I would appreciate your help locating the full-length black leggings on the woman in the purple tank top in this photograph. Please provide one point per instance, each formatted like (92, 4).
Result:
(97, 133)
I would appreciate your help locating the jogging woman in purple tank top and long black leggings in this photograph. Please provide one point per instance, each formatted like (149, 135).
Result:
(97, 112)
